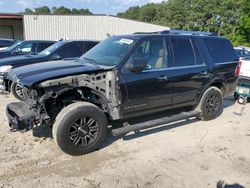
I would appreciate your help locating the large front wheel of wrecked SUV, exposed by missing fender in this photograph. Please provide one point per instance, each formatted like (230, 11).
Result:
(80, 128)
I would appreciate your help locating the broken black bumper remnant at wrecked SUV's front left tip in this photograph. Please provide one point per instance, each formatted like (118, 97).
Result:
(20, 116)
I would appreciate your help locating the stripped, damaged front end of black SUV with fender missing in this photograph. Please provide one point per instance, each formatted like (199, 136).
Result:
(45, 102)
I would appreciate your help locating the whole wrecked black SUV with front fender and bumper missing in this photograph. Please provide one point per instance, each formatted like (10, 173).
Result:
(123, 77)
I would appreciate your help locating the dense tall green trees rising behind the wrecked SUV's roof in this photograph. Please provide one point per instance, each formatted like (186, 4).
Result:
(228, 18)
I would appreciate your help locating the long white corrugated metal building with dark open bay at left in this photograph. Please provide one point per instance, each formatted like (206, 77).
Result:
(54, 27)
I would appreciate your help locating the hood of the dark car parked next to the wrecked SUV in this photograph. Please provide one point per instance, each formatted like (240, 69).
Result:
(17, 61)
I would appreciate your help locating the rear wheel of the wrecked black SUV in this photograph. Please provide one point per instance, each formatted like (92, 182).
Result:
(210, 105)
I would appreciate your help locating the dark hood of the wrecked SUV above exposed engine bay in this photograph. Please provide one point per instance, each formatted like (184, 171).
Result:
(36, 73)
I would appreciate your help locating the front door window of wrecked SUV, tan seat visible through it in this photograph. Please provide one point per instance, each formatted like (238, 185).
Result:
(152, 52)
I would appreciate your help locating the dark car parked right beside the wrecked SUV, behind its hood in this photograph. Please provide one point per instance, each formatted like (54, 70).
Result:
(58, 51)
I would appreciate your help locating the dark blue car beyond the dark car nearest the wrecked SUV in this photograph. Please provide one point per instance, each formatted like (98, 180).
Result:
(26, 47)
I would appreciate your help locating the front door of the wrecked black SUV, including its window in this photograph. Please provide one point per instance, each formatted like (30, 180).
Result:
(149, 89)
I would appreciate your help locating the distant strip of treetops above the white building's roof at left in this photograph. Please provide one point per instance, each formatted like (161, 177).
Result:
(57, 10)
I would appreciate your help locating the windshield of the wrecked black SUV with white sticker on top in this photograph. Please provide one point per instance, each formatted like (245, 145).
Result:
(111, 51)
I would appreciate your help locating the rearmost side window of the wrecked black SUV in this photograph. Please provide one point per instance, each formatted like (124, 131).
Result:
(220, 50)
